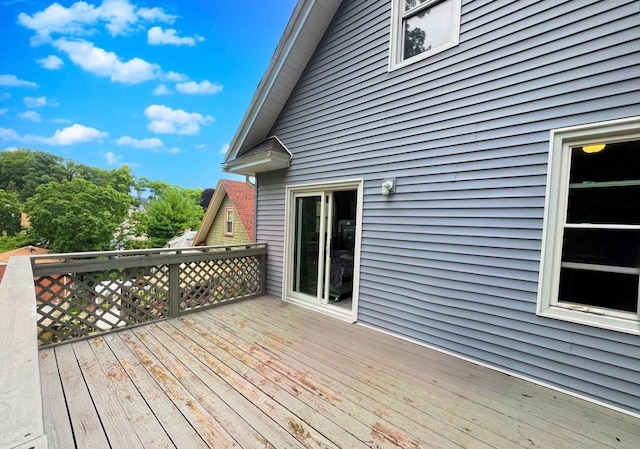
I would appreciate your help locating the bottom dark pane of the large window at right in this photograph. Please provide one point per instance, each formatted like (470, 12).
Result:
(599, 289)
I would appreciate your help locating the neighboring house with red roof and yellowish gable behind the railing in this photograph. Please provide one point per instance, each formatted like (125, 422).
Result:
(230, 216)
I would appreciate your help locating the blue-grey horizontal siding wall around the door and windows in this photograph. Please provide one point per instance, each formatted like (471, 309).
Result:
(466, 135)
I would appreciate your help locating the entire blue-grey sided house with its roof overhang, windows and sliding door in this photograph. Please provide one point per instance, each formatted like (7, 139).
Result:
(449, 154)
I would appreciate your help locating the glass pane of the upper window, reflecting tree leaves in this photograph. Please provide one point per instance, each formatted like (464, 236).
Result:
(427, 29)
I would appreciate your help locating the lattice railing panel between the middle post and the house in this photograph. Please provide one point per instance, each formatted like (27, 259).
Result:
(211, 282)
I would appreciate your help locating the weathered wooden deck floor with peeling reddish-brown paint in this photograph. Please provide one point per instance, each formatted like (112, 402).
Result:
(261, 373)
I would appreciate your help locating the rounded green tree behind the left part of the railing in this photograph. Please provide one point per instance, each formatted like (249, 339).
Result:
(76, 215)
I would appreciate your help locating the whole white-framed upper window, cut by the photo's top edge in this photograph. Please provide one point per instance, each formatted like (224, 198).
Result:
(421, 28)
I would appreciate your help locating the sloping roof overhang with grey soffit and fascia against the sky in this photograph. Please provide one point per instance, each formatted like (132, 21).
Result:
(302, 35)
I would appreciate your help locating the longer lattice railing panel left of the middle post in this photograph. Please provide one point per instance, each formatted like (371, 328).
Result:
(79, 304)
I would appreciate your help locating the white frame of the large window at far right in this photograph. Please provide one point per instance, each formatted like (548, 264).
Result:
(561, 142)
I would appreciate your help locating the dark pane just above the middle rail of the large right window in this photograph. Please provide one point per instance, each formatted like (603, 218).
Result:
(612, 205)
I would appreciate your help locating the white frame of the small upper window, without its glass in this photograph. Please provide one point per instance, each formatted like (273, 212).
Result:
(398, 16)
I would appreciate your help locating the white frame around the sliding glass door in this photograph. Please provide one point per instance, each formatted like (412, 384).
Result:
(289, 245)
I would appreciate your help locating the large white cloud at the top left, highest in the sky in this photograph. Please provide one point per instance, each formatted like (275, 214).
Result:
(118, 16)
